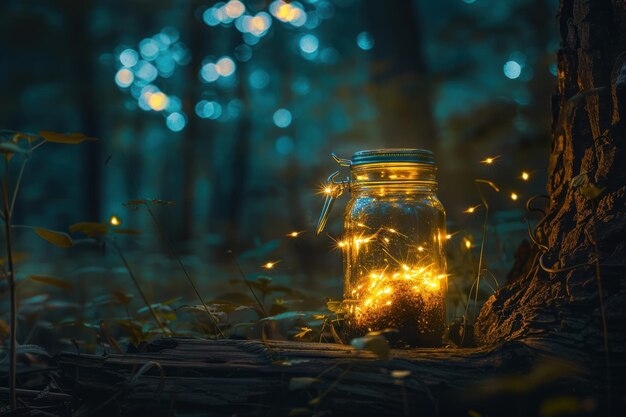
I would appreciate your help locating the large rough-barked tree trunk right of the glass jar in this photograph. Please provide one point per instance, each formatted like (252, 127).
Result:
(588, 154)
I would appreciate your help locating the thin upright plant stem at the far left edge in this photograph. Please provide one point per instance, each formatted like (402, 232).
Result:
(11, 283)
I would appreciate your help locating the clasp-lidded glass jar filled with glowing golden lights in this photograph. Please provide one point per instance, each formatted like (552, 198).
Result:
(393, 246)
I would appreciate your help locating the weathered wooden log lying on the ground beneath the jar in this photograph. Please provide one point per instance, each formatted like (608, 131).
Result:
(183, 376)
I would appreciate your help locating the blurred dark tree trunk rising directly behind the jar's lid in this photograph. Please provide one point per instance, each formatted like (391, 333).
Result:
(400, 83)
